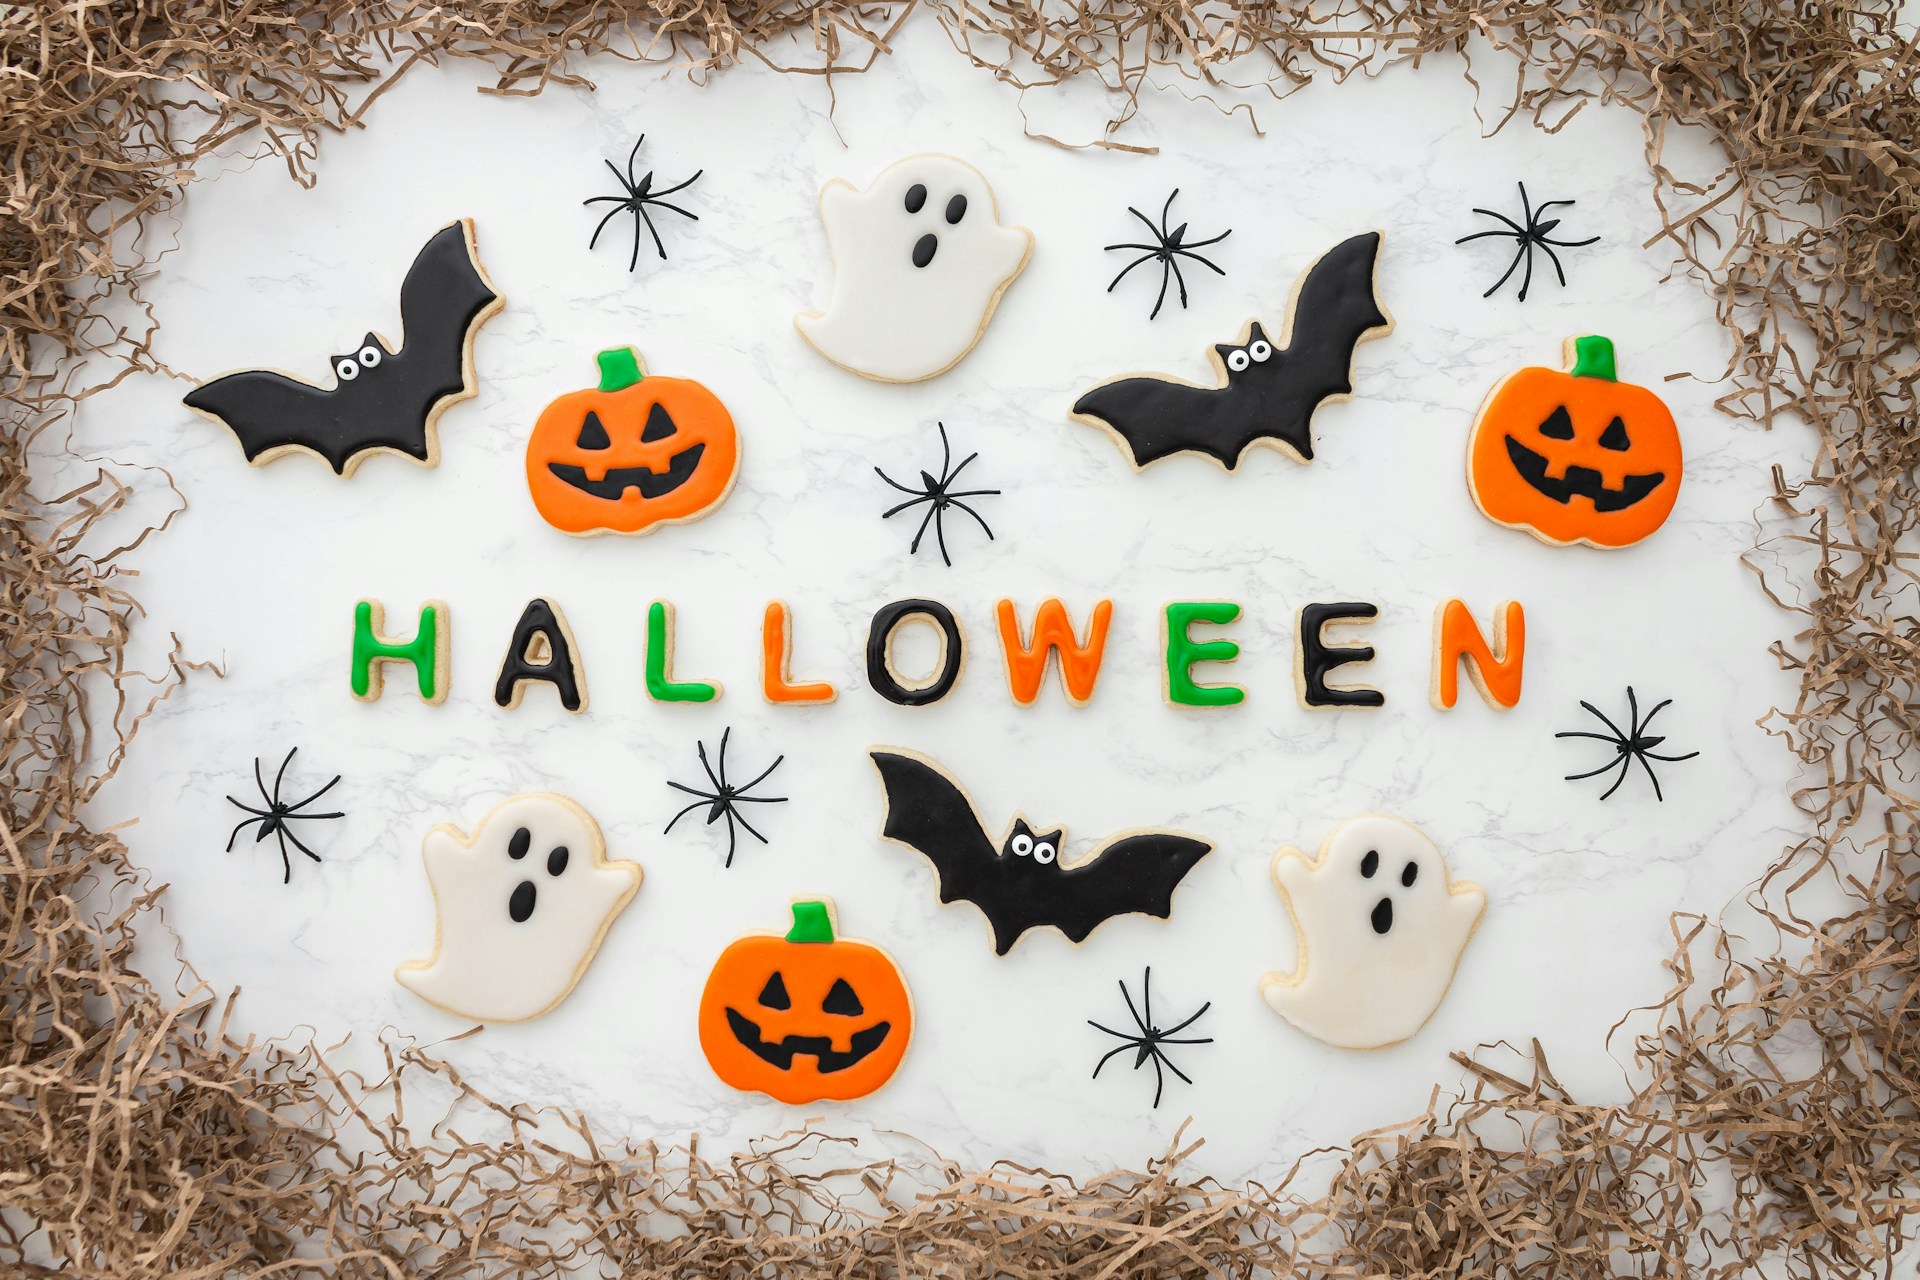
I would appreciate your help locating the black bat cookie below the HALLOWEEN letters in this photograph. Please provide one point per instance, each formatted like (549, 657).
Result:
(1020, 882)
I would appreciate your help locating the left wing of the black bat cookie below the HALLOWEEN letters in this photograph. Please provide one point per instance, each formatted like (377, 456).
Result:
(930, 815)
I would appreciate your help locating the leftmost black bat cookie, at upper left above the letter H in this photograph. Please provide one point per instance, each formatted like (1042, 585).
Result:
(383, 398)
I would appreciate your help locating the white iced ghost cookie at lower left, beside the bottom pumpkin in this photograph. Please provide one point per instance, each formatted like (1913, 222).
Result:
(521, 909)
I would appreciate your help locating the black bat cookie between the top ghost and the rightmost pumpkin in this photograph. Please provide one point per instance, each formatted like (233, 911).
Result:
(1266, 392)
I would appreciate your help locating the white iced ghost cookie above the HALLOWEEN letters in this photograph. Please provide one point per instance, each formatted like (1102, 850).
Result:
(921, 262)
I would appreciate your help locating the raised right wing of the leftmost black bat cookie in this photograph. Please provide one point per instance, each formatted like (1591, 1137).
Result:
(443, 306)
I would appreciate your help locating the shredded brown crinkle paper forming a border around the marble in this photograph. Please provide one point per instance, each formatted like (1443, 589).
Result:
(1775, 1114)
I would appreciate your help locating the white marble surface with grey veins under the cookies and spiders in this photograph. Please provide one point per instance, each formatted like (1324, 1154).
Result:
(262, 573)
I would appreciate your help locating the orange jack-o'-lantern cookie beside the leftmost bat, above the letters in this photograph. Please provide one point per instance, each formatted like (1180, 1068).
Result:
(633, 454)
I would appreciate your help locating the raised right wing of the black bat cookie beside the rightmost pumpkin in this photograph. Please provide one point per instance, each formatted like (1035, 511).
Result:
(1332, 314)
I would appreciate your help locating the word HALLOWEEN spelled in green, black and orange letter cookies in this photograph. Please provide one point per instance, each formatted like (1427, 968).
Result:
(542, 653)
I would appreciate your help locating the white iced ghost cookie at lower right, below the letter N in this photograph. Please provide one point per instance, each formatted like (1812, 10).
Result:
(1381, 932)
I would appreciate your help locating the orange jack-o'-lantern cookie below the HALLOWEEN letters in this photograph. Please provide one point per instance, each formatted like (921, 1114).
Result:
(807, 1014)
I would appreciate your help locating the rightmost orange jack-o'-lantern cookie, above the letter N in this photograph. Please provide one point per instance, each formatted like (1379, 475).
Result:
(1575, 456)
